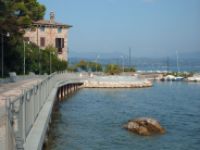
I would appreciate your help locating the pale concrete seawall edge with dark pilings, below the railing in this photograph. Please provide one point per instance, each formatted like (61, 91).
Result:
(37, 135)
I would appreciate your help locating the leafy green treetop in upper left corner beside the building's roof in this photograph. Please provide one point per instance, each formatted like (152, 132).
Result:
(18, 15)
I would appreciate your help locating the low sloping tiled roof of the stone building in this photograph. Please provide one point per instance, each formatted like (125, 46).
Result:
(49, 23)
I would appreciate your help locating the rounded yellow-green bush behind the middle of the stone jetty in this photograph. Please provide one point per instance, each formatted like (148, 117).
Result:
(113, 69)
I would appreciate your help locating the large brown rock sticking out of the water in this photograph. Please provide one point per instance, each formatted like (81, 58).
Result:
(144, 126)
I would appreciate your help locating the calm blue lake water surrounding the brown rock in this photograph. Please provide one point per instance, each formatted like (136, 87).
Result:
(92, 119)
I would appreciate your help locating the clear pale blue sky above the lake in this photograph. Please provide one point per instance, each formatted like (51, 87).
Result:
(150, 28)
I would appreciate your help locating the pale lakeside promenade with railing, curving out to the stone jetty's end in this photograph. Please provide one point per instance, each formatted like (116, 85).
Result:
(26, 105)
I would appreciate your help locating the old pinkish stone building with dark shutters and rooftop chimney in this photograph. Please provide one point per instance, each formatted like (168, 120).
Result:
(50, 33)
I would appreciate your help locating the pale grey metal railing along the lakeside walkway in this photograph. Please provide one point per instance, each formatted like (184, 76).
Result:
(23, 110)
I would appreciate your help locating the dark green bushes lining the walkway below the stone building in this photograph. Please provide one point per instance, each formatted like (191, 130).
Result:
(14, 60)
